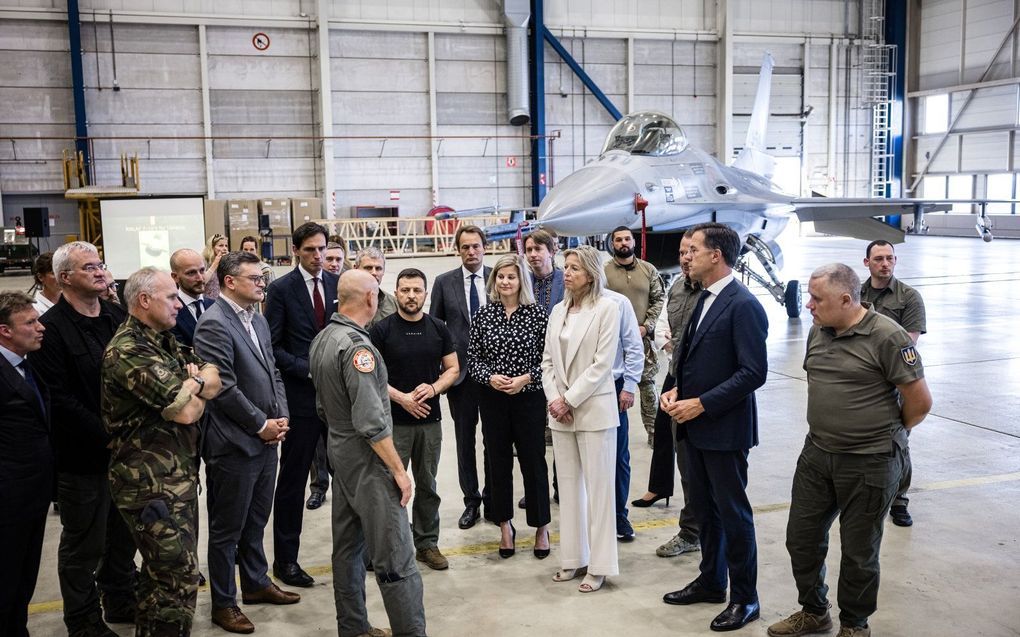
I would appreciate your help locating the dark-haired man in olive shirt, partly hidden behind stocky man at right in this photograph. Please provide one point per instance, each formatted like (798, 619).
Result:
(904, 305)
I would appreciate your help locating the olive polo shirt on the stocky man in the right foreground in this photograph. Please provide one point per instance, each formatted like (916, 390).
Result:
(853, 402)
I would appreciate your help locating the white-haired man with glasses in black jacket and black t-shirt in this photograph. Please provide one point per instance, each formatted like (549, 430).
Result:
(95, 560)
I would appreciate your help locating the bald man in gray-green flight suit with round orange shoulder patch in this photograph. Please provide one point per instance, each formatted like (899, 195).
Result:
(371, 488)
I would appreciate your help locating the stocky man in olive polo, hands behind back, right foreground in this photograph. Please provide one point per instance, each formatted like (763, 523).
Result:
(866, 390)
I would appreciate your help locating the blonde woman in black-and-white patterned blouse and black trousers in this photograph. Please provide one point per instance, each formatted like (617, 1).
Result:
(504, 357)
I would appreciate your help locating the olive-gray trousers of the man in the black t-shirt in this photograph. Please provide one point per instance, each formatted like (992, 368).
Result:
(420, 447)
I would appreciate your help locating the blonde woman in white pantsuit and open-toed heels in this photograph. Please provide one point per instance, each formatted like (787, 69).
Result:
(577, 371)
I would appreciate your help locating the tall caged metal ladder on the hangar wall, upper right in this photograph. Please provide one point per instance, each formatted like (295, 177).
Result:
(878, 73)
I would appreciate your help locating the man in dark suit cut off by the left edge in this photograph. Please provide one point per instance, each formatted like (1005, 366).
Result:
(27, 468)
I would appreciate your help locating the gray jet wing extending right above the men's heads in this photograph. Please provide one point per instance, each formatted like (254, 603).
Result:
(855, 218)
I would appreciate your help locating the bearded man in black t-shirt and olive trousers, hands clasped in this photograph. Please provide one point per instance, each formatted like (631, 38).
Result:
(422, 364)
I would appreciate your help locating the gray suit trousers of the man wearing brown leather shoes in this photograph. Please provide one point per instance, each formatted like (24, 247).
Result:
(239, 495)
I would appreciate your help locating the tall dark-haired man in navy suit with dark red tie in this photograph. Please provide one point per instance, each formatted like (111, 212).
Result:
(297, 308)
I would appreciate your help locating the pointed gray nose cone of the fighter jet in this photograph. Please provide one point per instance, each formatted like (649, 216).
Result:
(591, 201)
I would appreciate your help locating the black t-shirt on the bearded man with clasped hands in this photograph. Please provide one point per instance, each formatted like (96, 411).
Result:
(414, 354)
